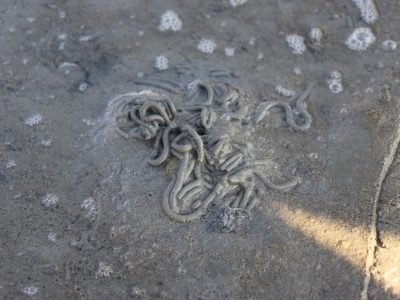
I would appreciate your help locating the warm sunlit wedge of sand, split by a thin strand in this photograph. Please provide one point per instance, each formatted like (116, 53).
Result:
(348, 242)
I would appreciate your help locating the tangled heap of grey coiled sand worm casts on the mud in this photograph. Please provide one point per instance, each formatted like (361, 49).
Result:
(214, 166)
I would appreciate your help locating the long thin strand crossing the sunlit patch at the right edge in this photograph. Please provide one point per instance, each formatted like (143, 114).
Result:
(373, 239)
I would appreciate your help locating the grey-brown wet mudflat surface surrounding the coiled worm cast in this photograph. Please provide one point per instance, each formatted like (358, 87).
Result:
(81, 213)
